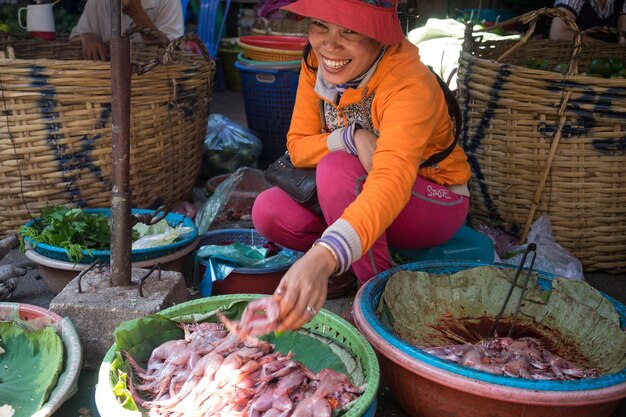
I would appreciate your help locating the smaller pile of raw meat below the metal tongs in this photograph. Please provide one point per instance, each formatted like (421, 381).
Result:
(524, 357)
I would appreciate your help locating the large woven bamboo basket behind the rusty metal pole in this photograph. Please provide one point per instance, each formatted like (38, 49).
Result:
(55, 128)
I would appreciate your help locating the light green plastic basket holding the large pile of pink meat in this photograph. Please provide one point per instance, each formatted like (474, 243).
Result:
(325, 324)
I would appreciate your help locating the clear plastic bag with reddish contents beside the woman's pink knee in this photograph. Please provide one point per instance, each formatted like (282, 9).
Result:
(232, 199)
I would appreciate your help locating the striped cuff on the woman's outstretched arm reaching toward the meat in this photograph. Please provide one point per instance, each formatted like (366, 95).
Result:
(345, 242)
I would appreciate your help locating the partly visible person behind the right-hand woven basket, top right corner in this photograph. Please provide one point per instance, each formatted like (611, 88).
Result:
(588, 14)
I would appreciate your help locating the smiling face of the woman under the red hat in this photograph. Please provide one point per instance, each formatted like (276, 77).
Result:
(343, 54)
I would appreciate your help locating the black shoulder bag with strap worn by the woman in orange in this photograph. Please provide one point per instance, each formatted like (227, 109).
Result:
(300, 183)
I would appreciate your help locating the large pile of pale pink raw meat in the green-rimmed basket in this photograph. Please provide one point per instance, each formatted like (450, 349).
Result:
(216, 372)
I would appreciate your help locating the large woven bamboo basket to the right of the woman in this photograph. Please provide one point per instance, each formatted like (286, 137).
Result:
(542, 142)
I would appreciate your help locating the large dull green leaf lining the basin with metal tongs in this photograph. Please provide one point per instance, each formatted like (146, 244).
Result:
(423, 307)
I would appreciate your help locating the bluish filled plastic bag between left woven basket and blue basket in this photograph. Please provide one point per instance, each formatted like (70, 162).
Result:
(228, 146)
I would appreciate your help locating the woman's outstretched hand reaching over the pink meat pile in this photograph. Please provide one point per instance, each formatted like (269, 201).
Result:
(302, 291)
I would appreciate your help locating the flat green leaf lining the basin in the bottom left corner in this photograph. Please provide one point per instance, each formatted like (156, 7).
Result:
(29, 367)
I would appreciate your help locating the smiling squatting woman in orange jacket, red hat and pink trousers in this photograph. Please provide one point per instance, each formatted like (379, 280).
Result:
(367, 113)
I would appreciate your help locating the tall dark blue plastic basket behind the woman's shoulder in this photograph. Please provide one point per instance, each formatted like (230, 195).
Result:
(269, 96)
